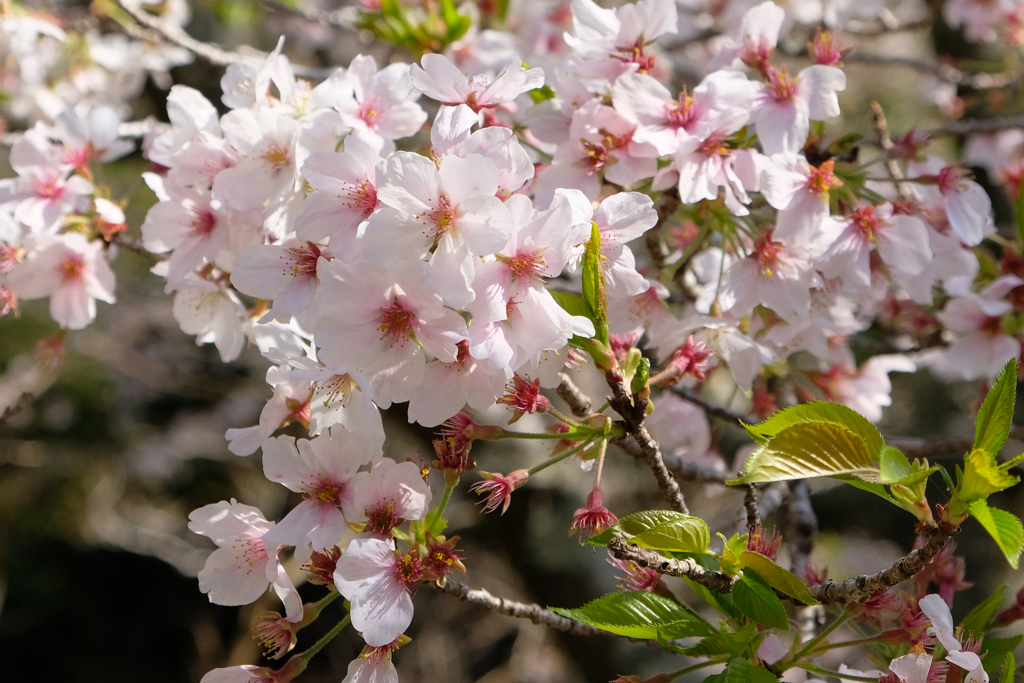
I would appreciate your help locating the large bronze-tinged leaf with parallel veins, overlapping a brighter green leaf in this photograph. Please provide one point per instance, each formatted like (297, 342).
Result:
(812, 450)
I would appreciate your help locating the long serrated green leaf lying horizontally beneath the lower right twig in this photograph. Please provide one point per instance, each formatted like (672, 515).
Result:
(639, 615)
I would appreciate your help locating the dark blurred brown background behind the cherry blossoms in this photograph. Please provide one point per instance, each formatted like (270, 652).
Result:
(122, 437)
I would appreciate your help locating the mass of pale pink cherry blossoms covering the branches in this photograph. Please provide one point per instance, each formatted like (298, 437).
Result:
(416, 234)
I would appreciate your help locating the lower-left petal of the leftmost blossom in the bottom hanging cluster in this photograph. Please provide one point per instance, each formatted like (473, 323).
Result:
(235, 575)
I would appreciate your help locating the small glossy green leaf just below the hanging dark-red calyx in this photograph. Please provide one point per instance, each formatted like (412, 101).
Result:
(659, 530)
